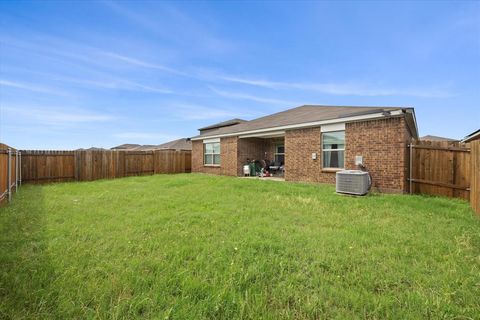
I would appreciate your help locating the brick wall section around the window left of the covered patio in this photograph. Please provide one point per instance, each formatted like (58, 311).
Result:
(228, 157)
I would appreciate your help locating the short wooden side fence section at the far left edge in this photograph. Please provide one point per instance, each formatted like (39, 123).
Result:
(9, 172)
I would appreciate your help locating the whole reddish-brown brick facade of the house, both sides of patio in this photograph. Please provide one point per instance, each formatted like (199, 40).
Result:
(382, 143)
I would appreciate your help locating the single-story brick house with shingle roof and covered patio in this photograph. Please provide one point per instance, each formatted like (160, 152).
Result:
(313, 142)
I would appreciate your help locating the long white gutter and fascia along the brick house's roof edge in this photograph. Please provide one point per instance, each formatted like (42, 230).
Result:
(377, 115)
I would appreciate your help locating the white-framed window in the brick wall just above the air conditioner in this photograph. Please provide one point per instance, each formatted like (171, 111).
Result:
(333, 146)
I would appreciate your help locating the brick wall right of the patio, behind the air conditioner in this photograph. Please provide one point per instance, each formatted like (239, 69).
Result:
(382, 143)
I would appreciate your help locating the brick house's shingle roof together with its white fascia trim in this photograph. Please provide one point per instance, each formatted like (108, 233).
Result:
(306, 115)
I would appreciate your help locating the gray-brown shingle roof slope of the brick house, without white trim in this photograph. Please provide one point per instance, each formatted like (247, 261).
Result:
(299, 115)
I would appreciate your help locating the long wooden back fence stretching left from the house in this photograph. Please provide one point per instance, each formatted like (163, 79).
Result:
(39, 166)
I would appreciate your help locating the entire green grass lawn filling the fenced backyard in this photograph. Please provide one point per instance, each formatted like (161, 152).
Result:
(203, 247)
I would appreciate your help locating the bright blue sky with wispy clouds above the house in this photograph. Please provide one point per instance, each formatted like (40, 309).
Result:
(82, 74)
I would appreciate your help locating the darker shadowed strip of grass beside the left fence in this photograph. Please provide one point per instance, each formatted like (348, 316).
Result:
(26, 272)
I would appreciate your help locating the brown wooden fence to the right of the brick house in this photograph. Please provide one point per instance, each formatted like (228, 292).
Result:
(447, 169)
